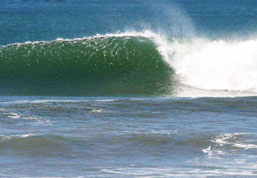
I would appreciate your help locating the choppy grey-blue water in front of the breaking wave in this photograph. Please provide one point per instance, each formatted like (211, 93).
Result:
(128, 137)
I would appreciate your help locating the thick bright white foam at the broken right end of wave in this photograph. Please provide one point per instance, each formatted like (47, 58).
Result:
(216, 65)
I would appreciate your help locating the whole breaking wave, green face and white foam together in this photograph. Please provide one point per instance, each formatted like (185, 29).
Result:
(130, 63)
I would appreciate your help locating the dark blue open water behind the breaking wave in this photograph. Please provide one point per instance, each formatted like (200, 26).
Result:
(31, 20)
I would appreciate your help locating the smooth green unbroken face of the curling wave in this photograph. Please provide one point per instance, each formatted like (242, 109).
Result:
(100, 65)
